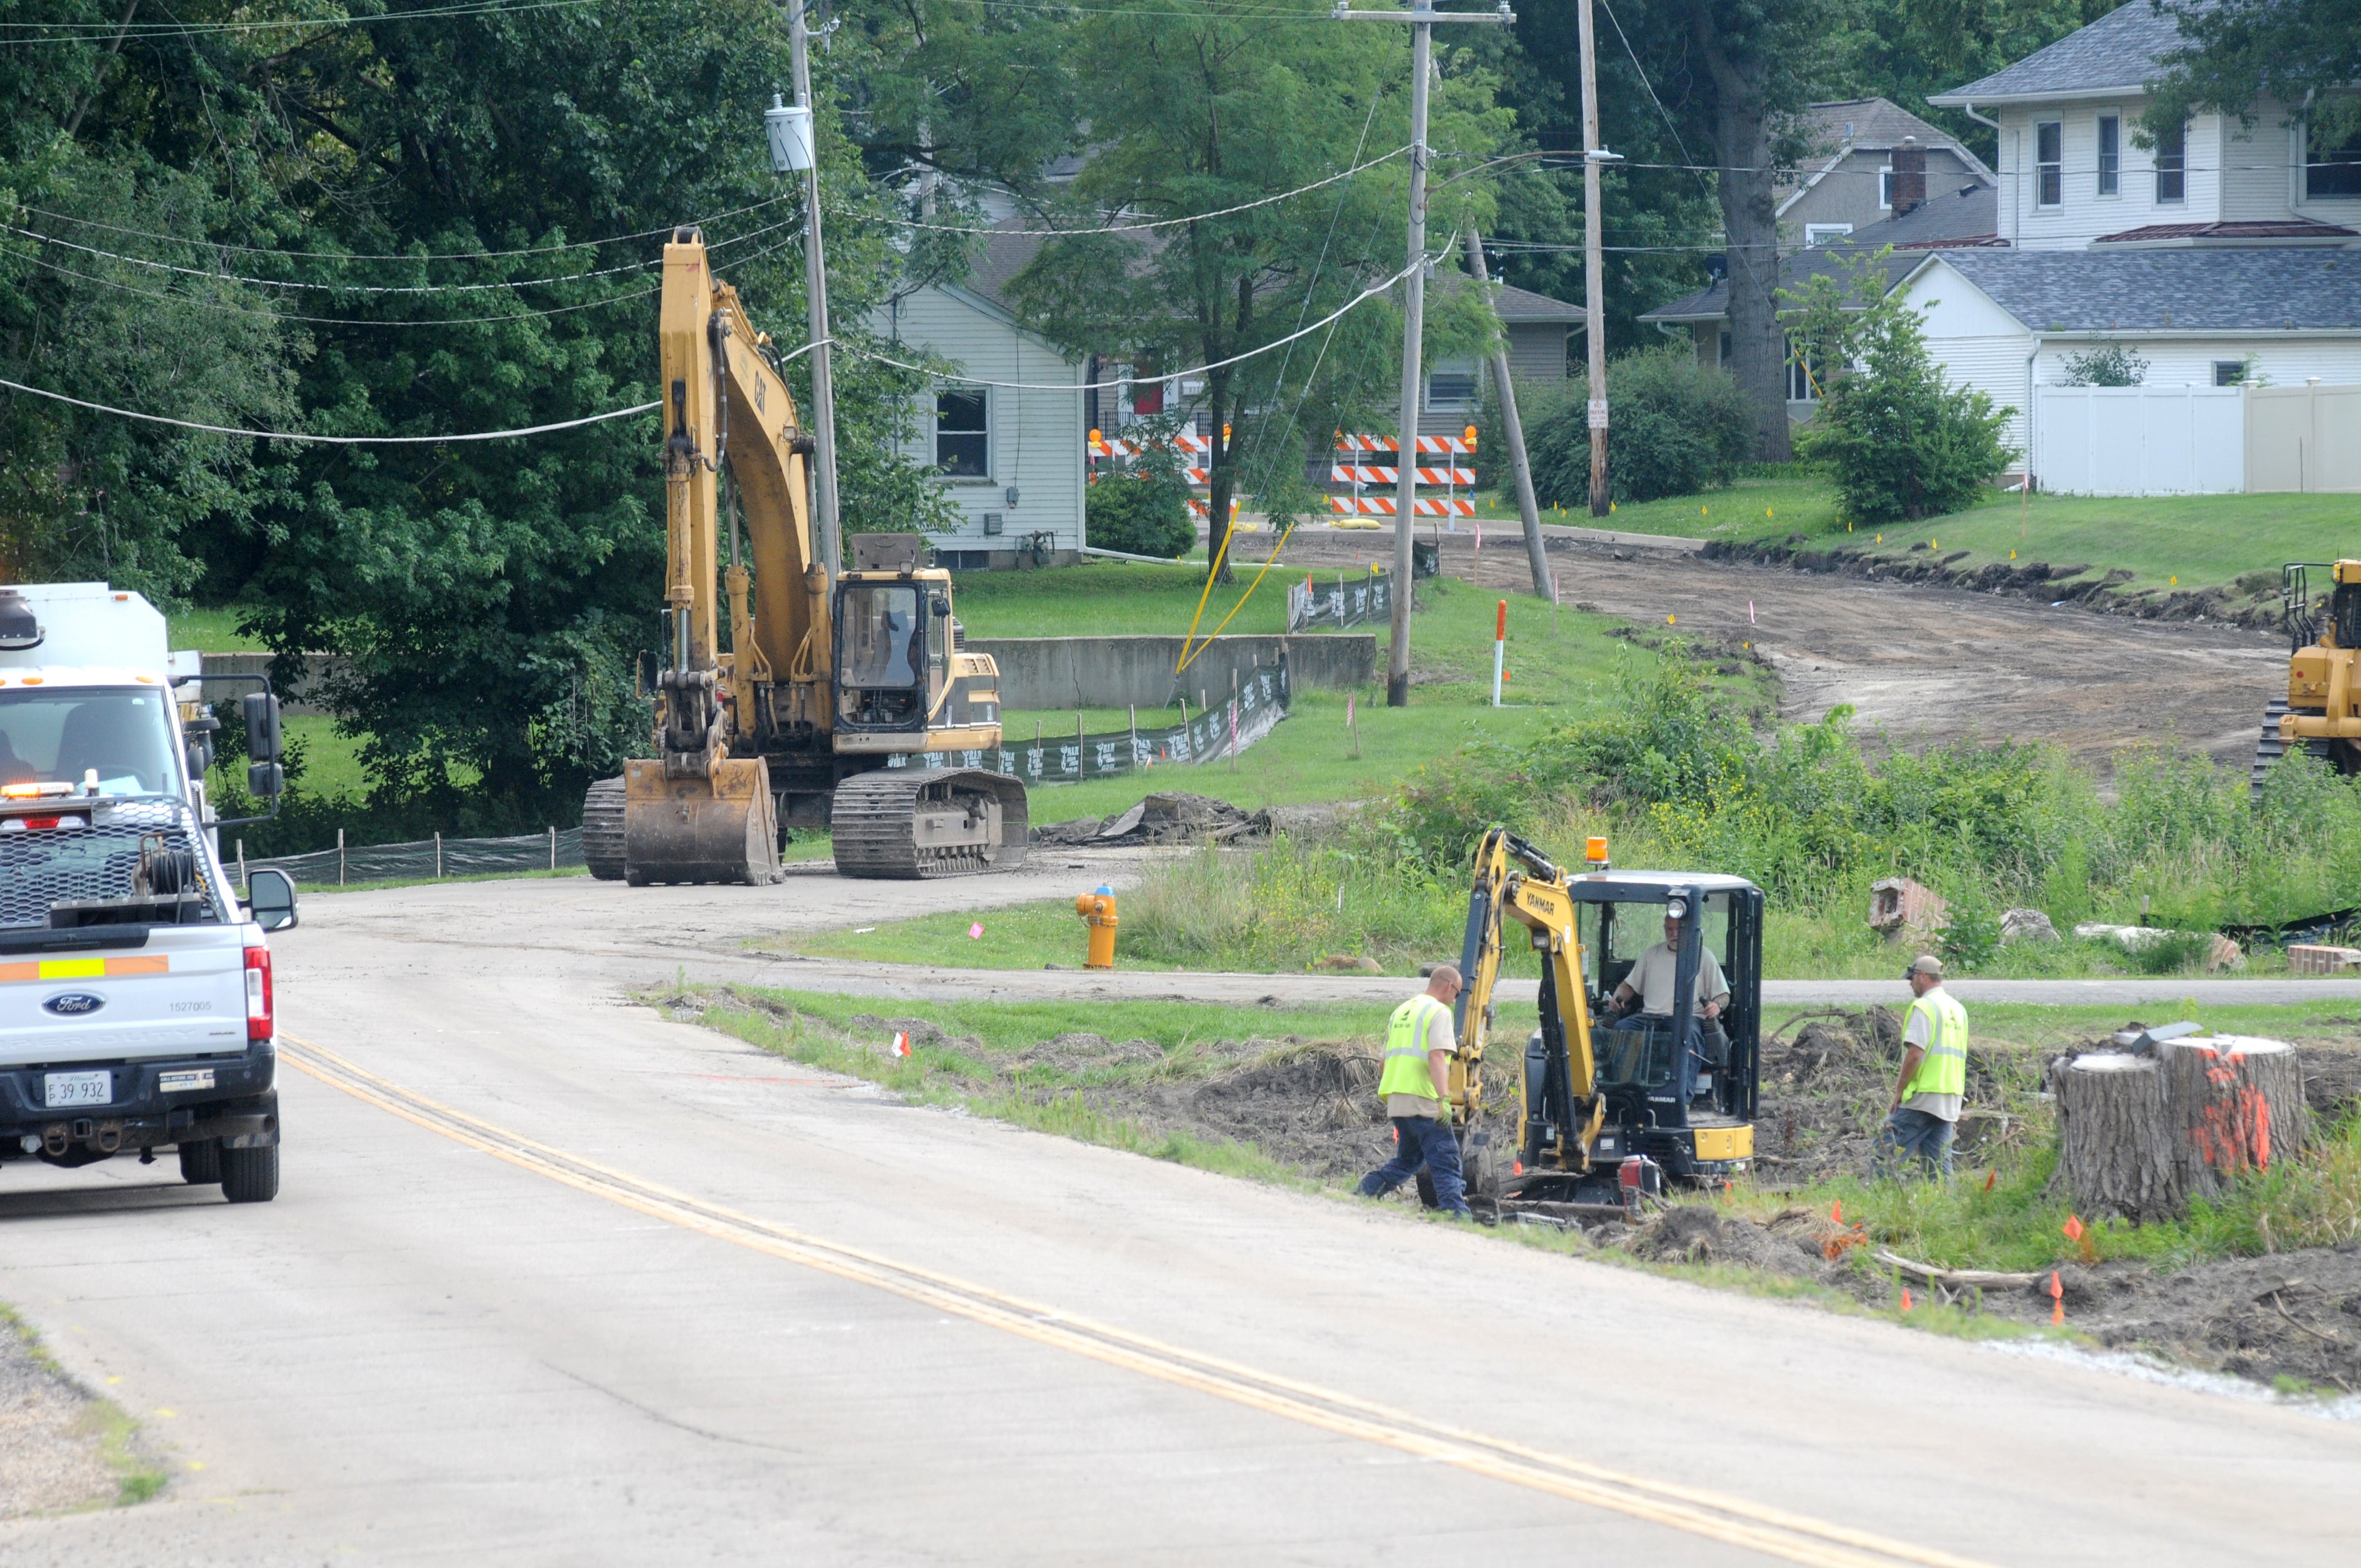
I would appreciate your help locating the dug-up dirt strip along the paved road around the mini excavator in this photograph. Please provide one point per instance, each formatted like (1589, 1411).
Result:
(1312, 1109)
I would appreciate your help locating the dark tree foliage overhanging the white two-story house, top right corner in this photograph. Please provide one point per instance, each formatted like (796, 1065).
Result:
(2239, 55)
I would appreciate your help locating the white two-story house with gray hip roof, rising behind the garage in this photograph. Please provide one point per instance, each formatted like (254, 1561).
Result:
(2074, 181)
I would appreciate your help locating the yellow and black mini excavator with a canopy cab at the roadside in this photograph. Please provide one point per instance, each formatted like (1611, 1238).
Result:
(1609, 1113)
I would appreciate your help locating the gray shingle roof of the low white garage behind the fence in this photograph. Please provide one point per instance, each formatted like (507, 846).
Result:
(2237, 292)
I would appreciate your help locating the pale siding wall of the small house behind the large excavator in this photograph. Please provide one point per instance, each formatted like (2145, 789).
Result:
(1038, 436)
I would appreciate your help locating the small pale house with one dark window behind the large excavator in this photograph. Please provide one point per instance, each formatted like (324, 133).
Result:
(1012, 455)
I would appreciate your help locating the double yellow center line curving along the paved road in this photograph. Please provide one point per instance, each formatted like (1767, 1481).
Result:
(1711, 1515)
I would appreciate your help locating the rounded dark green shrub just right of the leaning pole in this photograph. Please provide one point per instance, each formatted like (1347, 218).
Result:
(1677, 429)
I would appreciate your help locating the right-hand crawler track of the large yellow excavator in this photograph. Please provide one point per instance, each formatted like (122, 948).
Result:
(920, 823)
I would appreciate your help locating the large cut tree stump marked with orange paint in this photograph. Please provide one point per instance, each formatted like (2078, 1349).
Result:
(2143, 1132)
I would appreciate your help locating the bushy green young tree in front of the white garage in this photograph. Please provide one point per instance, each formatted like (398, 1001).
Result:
(1902, 440)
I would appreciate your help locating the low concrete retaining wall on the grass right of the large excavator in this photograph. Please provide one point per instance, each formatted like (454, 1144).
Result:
(1139, 672)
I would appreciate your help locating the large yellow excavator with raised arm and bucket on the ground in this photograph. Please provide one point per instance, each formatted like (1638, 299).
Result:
(846, 710)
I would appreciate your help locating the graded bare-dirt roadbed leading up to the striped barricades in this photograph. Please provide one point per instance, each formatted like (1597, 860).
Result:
(1918, 662)
